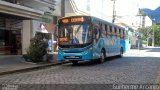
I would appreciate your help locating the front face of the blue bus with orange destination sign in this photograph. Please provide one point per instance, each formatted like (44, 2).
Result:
(75, 39)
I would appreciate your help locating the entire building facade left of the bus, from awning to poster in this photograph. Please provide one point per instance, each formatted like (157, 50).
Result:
(20, 20)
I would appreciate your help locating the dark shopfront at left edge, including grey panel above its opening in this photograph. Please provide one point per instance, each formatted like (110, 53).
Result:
(10, 36)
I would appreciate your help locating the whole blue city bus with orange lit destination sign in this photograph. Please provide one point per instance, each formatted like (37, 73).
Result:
(89, 38)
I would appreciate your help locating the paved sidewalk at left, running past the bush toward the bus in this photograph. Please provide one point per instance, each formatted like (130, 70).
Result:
(15, 63)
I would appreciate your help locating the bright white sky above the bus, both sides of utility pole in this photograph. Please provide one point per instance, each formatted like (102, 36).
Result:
(126, 10)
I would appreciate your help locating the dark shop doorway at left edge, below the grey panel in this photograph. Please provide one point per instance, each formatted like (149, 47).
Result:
(10, 42)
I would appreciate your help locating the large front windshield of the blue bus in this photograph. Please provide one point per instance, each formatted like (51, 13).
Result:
(75, 34)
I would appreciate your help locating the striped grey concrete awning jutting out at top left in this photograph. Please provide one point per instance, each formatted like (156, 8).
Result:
(18, 10)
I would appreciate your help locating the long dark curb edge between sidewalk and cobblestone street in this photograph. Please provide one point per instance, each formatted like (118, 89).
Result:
(31, 68)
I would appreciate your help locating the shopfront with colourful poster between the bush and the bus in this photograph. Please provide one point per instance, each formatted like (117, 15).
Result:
(46, 27)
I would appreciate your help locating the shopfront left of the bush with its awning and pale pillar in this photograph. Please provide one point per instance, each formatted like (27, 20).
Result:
(15, 27)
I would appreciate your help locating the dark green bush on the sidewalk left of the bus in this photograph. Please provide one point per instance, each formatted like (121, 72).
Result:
(37, 49)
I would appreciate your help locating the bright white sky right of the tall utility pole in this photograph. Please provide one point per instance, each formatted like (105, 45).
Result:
(128, 9)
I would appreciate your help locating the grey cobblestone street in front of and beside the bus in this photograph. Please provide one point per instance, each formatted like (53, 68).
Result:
(136, 67)
